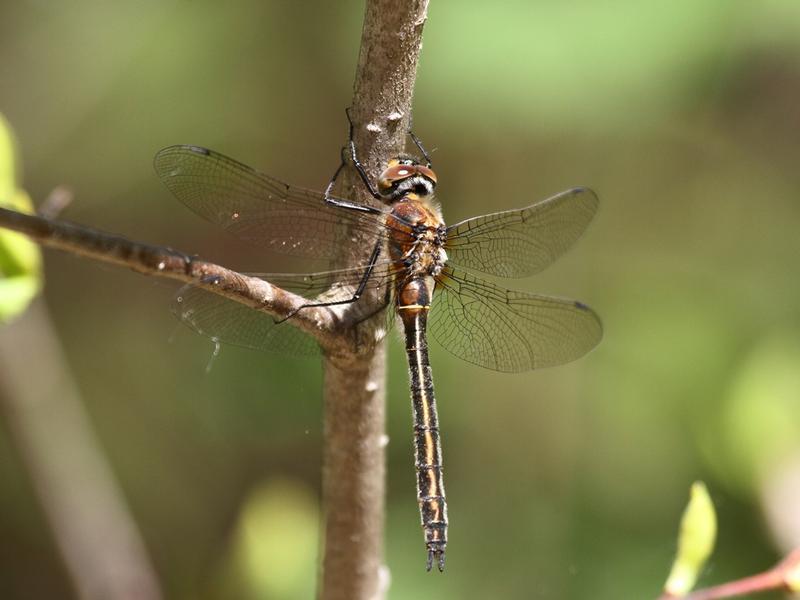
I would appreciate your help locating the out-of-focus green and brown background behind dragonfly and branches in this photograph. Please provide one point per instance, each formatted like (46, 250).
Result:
(566, 483)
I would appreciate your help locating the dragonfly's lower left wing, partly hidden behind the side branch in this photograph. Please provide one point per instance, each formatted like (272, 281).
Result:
(230, 322)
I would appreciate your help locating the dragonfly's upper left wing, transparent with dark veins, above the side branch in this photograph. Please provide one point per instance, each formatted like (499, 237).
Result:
(258, 208)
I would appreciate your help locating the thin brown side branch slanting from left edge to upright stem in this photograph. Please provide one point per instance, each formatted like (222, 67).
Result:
(160, 261)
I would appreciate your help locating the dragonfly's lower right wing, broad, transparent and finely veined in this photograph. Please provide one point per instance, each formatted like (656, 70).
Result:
(509, 331)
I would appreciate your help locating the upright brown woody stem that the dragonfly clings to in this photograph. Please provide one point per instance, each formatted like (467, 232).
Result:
(353, 471)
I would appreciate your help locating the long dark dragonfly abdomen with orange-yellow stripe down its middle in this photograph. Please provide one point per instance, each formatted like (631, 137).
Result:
(413, 309)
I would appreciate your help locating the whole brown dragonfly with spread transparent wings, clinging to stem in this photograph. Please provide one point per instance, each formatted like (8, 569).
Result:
(431, 274)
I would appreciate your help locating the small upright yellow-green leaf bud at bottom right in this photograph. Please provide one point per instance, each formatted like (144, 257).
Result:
(695, 542)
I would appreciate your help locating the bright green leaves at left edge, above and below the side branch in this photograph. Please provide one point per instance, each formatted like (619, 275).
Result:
(20, 259)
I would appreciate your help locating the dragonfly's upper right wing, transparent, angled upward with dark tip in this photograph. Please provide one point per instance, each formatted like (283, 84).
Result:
(519, 243)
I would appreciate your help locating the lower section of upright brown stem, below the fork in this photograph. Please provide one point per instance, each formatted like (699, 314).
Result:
(353, 477)
